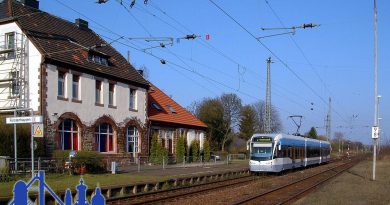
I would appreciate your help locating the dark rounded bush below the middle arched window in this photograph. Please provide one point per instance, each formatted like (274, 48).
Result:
(91, 160)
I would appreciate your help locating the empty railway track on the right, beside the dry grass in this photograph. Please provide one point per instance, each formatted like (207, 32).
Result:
(288, 193)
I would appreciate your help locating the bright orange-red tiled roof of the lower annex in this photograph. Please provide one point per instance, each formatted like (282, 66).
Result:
(181, 117)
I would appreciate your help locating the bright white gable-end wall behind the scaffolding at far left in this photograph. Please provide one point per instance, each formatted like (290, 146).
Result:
(33, 61)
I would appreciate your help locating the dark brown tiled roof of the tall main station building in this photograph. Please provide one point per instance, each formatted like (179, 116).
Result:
(63, 43)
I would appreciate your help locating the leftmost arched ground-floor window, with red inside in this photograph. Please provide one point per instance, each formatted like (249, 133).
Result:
(69, 135)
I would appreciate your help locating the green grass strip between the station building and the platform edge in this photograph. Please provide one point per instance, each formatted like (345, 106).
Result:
(60, 182)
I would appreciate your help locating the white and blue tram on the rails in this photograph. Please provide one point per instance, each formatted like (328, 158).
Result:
(278, 152)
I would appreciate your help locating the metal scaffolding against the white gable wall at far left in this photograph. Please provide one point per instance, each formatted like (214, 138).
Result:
(14, 89)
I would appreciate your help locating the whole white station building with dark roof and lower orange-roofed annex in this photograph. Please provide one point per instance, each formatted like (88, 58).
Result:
(90, 97)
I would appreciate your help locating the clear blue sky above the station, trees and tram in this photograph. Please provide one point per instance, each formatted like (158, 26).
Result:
(333, 60)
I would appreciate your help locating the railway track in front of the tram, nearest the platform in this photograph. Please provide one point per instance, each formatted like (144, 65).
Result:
(179, 192)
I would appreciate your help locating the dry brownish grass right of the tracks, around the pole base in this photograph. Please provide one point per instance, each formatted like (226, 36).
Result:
(356, 186)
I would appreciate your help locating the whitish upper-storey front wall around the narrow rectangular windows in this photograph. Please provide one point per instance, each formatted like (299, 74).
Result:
(87, 111)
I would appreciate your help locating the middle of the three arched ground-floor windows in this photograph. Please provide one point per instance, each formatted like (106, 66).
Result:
(104, 138)
